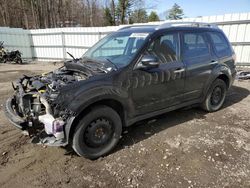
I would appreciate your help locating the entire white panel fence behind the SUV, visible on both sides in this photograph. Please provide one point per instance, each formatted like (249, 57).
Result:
(52, 44)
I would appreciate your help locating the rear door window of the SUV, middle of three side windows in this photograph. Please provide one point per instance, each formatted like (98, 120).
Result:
(194, 45)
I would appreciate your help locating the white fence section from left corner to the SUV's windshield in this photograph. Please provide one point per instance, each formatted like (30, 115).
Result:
(54, 43)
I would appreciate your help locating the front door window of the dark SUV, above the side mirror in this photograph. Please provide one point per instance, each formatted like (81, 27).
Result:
(165, 48)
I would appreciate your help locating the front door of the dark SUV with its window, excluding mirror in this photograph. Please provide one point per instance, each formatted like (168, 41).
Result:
(161, 87)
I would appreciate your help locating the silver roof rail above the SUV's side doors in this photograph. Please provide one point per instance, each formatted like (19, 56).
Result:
(186, 24)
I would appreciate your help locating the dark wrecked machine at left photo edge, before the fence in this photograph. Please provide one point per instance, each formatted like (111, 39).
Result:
(12, 56)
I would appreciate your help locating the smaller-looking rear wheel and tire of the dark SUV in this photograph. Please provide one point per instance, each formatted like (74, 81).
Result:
(215, 96)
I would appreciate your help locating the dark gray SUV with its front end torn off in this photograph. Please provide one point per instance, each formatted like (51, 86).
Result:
(130, 75)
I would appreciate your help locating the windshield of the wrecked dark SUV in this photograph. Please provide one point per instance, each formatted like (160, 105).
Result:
(118, 48)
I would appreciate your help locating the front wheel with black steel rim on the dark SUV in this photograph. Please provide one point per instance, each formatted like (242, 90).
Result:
(101, 120)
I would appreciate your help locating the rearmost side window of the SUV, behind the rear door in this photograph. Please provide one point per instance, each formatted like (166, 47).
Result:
(221, 45)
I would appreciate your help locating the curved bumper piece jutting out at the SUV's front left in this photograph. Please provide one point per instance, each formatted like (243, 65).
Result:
(12, 116)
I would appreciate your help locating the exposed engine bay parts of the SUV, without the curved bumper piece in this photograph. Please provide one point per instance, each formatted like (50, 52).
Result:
(34, 99)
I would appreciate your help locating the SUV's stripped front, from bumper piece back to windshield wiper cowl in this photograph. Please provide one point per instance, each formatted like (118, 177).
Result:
(39, 101)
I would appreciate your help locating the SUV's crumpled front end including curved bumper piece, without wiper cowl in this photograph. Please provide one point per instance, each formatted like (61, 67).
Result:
(34, 108)
